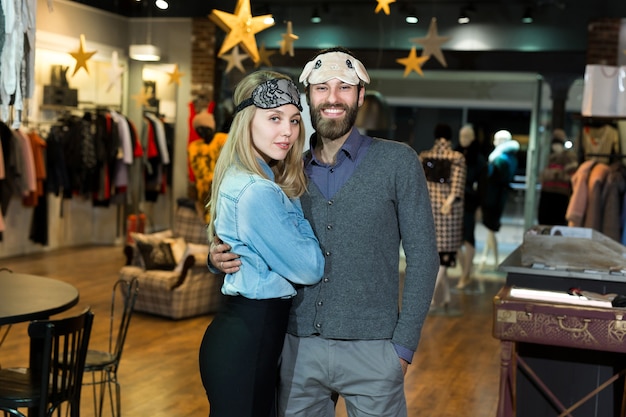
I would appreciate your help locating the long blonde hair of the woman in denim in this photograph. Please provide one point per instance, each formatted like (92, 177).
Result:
(238, 150)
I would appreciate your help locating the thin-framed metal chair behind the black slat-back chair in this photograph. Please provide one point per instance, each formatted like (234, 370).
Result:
(103, 365)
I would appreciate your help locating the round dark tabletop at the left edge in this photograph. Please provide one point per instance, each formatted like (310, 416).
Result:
(26, 297)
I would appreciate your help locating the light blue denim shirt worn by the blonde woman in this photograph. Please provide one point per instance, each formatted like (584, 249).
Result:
(276, 244)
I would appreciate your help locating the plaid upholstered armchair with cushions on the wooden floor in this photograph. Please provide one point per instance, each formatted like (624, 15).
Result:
(171, 268)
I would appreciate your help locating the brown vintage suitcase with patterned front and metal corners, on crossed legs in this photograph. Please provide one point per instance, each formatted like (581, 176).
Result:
(543, 322)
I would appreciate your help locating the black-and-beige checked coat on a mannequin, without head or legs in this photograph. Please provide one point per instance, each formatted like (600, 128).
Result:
(445, 171)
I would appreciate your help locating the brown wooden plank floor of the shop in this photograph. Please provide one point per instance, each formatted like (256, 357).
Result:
(455, 372)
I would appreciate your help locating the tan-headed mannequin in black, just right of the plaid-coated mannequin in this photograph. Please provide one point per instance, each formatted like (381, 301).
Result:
(476, 164)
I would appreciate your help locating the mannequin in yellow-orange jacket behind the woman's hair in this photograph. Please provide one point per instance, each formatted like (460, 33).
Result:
(203, 154)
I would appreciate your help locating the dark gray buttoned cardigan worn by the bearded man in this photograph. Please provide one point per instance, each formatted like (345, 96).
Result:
(360, 230)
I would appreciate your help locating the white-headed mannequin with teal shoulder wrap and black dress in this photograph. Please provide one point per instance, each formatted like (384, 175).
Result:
(501, 167)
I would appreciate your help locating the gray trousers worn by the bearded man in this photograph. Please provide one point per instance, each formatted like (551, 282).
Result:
(366, 373)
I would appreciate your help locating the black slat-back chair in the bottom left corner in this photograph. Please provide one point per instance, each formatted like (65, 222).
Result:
(54, 377)
